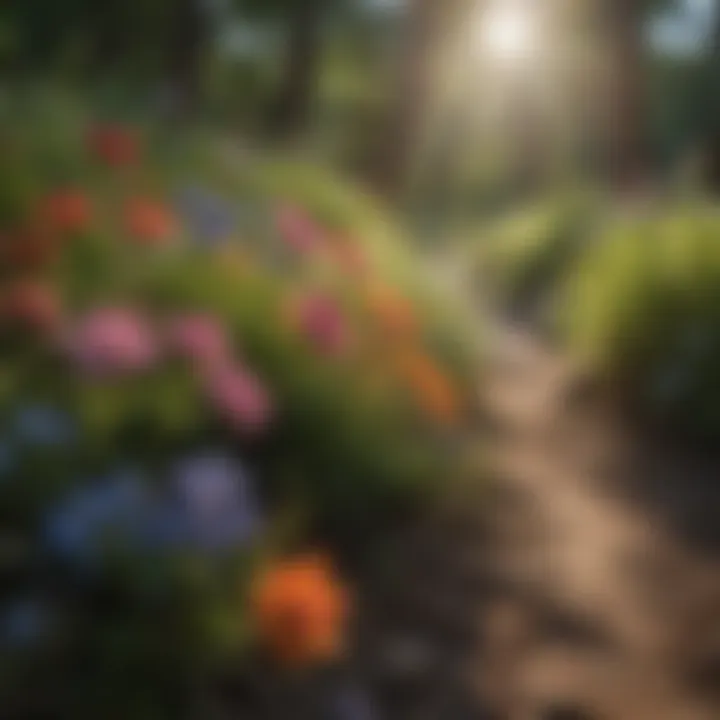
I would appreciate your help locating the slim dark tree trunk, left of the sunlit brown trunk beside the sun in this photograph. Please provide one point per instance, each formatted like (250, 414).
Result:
(292, 108)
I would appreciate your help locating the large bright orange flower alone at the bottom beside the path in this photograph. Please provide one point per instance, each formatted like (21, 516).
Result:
(300, 609)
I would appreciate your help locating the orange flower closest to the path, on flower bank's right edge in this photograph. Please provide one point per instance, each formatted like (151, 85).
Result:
(432, 389)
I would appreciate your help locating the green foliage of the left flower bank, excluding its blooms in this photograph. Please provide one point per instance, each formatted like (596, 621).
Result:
(347, 445)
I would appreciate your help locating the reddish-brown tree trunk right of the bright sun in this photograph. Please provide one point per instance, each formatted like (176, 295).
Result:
(627, 138)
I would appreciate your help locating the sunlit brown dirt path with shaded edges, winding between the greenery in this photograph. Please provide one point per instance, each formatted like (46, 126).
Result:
(583, 583)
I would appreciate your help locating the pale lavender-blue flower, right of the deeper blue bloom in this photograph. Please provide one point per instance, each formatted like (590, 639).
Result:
(212, 507)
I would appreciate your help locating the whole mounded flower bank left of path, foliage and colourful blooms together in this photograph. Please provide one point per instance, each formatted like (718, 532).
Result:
(201, 349)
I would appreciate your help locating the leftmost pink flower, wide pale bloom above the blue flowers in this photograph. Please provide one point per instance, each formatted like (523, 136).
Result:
(113, 340)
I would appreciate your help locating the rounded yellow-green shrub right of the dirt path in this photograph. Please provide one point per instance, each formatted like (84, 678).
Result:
(643, 311)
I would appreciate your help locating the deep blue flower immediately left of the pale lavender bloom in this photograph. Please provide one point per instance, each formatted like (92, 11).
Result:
(112, 510)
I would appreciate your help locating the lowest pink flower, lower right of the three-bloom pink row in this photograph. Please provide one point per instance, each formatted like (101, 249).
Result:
(240, 397)
